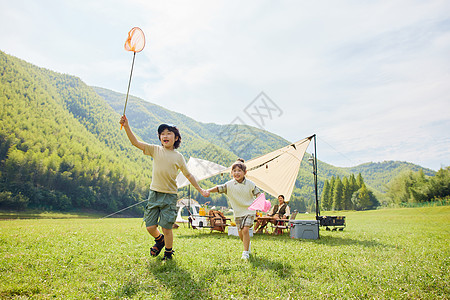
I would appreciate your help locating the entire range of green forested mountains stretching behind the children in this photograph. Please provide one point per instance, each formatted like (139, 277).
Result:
(61, 146)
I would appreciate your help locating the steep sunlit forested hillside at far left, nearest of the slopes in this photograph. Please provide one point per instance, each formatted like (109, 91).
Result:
(59, 147)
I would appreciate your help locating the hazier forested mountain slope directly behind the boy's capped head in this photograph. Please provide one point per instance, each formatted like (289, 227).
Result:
(219, 143)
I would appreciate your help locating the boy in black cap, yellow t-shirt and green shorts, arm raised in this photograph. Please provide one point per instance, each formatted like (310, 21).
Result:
(161, 207)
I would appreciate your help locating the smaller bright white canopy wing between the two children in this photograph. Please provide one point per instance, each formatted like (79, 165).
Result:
(201, 169)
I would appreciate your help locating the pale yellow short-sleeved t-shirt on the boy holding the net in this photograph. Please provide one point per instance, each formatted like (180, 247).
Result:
(166, 164)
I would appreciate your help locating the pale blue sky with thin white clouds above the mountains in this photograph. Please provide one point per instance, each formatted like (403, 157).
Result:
(370, 78)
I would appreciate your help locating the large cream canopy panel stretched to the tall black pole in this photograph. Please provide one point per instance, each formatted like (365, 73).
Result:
(277, 171)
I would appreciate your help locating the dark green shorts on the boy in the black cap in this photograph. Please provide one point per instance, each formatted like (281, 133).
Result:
(161, 209)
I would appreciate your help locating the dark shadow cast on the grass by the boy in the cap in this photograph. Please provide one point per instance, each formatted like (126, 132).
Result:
(178, 281)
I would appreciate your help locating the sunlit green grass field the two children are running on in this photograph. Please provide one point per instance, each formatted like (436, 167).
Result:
(383, 254)
